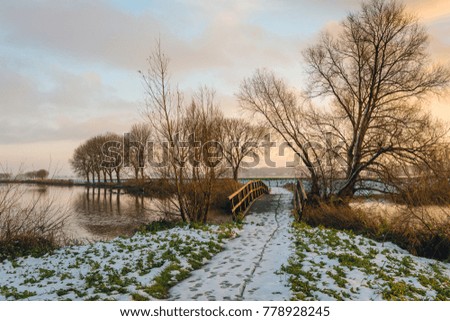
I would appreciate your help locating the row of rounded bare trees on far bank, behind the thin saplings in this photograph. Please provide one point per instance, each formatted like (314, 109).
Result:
(238, 138)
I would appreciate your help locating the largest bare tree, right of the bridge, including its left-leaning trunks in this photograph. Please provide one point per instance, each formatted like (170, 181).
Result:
(375, 73)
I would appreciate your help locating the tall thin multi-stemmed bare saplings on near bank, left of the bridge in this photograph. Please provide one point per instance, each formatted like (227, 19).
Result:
(185, 128)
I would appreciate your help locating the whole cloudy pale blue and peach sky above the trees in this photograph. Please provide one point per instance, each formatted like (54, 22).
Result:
(69, 68)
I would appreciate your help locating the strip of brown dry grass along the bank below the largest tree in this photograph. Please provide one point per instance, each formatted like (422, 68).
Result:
(413, 228)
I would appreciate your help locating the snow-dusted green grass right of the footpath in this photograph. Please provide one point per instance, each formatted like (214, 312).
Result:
(334, 265)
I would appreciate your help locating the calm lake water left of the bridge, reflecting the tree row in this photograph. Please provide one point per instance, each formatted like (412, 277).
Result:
(95, 213)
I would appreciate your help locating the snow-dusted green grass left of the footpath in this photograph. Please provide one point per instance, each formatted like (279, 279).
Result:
(142, 267)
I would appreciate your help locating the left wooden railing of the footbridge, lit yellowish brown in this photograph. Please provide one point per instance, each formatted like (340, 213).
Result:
(243, 198)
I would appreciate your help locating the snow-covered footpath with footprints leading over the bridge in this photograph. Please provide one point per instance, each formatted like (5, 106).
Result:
(249, 267)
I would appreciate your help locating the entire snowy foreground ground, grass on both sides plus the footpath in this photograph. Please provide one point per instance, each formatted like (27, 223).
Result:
(269, 259)
